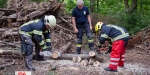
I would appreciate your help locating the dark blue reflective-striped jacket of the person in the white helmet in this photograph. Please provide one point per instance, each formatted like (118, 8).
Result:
(36, 28)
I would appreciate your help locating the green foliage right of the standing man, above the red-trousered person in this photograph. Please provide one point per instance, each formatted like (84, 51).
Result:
(133, 22)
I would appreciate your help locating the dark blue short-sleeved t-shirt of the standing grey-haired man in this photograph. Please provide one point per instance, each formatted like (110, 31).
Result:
(80, 15)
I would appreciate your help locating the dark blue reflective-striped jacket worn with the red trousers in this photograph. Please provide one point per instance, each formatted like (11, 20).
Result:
(113, 32)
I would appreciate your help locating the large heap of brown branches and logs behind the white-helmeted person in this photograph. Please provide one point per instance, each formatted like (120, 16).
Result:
(18, 12)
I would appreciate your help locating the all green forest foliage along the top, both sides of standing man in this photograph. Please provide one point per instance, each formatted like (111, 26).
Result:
(115, 9)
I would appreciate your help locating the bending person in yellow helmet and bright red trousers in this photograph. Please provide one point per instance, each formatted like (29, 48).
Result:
(119, 37)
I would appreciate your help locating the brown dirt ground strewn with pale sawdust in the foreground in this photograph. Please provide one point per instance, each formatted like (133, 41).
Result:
(137, 63)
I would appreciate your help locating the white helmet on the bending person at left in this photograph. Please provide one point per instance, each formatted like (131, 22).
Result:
(50, 20)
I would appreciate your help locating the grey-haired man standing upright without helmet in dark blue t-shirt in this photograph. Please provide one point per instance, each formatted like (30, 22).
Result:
(82, 22)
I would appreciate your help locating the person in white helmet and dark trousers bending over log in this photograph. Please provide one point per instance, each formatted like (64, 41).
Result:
(33, 31)
